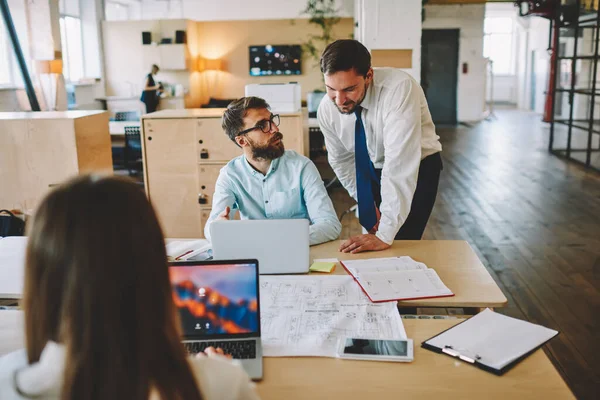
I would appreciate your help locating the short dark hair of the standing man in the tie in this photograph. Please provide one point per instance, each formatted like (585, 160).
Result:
(344, 55)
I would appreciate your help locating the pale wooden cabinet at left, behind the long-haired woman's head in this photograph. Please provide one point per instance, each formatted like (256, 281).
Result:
(43, 149)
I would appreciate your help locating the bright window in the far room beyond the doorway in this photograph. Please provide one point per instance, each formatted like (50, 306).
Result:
(497, 43)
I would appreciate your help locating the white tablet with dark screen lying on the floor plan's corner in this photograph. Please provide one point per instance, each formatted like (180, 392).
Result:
(399, 350)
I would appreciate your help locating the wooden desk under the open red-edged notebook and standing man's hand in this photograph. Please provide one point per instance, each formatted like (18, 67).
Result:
(454, 260)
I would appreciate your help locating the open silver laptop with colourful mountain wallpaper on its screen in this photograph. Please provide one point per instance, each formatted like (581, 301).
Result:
(218, 303)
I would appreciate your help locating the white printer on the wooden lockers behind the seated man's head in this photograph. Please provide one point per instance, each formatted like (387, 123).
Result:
(282, 97)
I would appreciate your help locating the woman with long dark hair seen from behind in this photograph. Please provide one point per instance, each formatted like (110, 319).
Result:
(100, 321)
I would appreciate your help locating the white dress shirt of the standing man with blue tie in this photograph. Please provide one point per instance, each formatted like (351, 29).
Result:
(399, 132)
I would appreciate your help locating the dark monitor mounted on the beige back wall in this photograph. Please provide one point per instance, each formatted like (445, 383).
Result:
(274, 59)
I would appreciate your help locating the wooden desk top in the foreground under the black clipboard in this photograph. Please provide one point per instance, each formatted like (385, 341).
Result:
(429, 376)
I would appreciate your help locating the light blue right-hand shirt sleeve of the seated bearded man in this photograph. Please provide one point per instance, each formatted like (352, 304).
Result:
(324, 224)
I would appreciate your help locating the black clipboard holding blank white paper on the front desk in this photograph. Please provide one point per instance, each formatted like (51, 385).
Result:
(491, 341)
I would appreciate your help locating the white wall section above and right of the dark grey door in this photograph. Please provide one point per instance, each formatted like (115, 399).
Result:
(469, 19)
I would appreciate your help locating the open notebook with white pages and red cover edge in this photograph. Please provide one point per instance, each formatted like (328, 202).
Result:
(396, 278)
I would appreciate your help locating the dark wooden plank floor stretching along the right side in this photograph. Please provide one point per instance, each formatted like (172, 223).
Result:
(534, 221)
